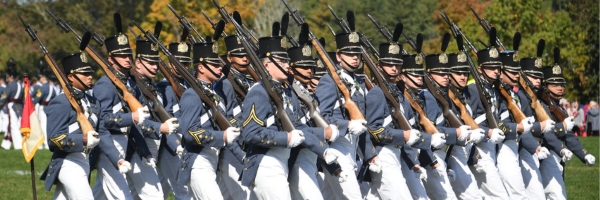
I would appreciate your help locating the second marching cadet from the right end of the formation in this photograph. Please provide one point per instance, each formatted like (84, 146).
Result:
(530, 164)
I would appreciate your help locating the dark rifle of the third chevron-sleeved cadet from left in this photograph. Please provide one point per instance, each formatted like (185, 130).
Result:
(273, 91)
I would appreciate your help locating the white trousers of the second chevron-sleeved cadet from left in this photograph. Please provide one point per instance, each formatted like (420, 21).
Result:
(203, 179)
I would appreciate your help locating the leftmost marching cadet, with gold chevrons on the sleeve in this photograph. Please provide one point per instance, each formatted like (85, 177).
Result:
(70, 166)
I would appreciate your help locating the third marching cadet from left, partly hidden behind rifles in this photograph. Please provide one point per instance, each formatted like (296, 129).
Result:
(143, 179)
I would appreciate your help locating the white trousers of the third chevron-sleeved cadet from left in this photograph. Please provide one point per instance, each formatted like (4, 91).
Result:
(271, 178)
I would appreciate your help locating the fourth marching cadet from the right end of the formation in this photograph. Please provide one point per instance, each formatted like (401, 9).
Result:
(487, 174)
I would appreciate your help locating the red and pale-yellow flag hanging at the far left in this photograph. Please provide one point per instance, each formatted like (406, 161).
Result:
(30, 126)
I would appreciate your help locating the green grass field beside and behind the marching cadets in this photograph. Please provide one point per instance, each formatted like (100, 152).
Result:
(581, 181)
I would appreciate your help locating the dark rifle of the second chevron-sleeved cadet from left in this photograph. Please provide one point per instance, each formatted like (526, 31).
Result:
(205, 96)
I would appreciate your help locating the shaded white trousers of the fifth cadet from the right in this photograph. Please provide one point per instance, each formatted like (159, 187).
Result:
(464, 185)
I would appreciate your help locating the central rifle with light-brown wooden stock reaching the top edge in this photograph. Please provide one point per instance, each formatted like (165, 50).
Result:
(349, 104)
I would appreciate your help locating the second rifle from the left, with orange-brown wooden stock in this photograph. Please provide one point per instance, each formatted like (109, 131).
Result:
(131, 101)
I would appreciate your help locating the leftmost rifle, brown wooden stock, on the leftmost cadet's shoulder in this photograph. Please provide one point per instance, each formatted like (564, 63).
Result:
(69, 91)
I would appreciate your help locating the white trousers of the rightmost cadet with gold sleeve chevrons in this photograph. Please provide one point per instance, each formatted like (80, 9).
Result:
(390, 182)
